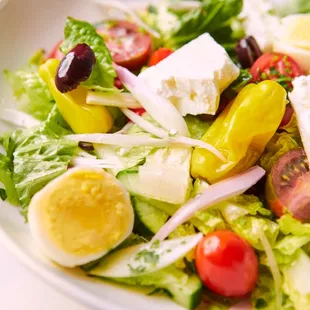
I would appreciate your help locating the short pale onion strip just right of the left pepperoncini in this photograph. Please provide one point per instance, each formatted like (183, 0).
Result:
(121, 100)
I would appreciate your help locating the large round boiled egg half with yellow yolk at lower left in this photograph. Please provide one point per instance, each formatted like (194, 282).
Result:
(80, 216)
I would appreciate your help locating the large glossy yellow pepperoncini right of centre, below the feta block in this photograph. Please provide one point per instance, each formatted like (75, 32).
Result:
(241, 132)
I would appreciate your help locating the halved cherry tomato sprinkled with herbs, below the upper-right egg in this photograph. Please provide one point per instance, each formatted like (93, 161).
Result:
(277, 67)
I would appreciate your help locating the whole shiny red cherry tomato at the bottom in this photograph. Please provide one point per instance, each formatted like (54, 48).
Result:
(227, 264)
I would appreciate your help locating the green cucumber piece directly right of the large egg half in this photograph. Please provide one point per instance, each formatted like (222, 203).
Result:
(149, 219)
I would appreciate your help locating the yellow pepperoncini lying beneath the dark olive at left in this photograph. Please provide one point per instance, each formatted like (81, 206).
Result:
(81, 117)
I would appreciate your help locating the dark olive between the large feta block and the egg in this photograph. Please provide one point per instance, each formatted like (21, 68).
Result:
(247, 51)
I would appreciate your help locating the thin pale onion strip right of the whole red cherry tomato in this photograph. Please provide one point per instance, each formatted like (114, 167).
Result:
(274, 268)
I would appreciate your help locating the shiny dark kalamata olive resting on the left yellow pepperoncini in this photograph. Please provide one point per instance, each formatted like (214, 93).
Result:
(75, 67)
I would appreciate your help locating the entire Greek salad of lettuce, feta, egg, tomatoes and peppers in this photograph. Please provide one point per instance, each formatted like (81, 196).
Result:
(170, 149)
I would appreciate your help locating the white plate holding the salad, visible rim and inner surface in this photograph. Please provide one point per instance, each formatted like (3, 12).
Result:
(25, 26)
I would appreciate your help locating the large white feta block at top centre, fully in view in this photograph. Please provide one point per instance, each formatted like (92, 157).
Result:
(193, 77)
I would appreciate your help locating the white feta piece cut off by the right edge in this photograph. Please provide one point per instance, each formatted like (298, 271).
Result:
(300, 99)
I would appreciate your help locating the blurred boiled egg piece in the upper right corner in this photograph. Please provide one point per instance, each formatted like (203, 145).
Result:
(293, 39)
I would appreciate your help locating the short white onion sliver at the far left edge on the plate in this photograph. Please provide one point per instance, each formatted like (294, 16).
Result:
(18, 118)
